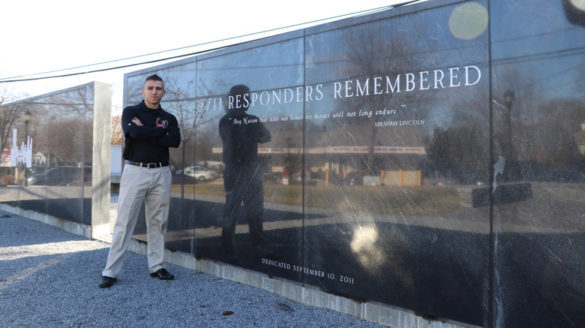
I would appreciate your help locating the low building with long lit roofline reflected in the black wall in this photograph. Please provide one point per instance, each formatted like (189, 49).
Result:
(346, 154)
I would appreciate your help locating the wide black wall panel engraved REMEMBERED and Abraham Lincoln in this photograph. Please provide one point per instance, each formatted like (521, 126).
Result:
(393, 151)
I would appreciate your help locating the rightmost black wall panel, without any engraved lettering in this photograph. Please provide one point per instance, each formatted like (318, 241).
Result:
(539, 111)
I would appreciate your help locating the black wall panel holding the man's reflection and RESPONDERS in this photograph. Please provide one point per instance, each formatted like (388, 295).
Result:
(251, 130)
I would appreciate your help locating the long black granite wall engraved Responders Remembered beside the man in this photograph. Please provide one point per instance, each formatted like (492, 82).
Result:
(429, 157)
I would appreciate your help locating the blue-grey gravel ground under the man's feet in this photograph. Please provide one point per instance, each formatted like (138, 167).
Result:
(49, 278)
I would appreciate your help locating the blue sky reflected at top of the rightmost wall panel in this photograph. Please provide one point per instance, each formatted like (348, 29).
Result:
(538, 58)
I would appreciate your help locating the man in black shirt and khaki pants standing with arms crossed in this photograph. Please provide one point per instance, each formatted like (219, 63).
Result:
(149, 131)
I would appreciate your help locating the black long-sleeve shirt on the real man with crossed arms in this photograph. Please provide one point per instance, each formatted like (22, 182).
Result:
(147, 143)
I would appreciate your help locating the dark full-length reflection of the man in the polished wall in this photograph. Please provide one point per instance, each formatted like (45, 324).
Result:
(241, 133)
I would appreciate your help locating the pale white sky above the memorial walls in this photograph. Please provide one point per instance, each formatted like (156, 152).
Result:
(41, 36)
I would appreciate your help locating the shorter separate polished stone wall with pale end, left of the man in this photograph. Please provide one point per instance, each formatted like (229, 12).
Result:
(60, 182)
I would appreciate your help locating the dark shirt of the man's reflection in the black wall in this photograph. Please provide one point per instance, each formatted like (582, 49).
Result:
(241, 134)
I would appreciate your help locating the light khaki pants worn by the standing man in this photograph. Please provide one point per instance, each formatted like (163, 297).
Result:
(140, 185)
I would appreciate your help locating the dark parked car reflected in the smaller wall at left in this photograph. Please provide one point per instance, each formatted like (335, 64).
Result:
(61, 176)
